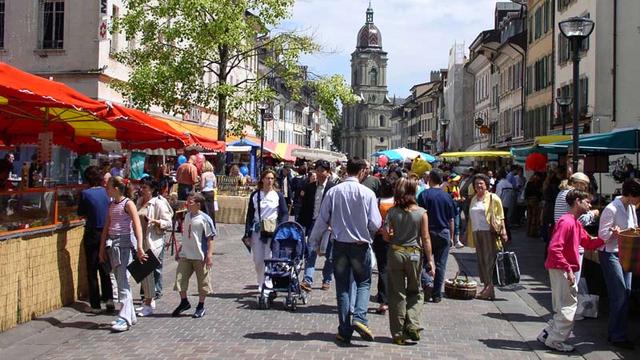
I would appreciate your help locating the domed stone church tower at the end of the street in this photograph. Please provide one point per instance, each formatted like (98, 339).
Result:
(366, 125)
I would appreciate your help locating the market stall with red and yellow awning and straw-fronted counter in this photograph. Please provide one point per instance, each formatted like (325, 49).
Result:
(39, 226)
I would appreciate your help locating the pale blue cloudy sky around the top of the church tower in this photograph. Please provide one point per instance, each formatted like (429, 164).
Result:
(416, 34)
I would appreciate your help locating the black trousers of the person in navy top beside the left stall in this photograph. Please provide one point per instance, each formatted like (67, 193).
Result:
(91, 241)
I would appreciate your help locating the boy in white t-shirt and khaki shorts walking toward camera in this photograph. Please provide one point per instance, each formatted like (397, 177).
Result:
(195, 254)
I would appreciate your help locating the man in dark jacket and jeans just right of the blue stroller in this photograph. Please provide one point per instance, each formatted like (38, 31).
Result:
(311, 199)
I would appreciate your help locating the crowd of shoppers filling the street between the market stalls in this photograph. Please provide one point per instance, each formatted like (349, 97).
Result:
(360, 217)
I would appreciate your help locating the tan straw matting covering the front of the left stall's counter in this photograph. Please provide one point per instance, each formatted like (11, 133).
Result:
(39, 274)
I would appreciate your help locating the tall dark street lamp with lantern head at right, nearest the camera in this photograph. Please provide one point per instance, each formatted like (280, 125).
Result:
(576, 29)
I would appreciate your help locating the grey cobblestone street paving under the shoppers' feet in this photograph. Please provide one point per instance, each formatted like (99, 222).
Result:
(233, 328)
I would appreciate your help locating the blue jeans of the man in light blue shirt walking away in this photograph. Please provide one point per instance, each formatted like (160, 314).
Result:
(351, 258)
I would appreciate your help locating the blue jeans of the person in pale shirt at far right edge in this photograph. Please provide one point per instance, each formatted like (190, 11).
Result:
(618, 290)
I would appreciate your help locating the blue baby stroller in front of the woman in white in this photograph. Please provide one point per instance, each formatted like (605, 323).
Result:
(283, 269)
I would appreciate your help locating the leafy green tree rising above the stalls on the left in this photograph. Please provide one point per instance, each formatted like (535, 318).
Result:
(188, 49)
